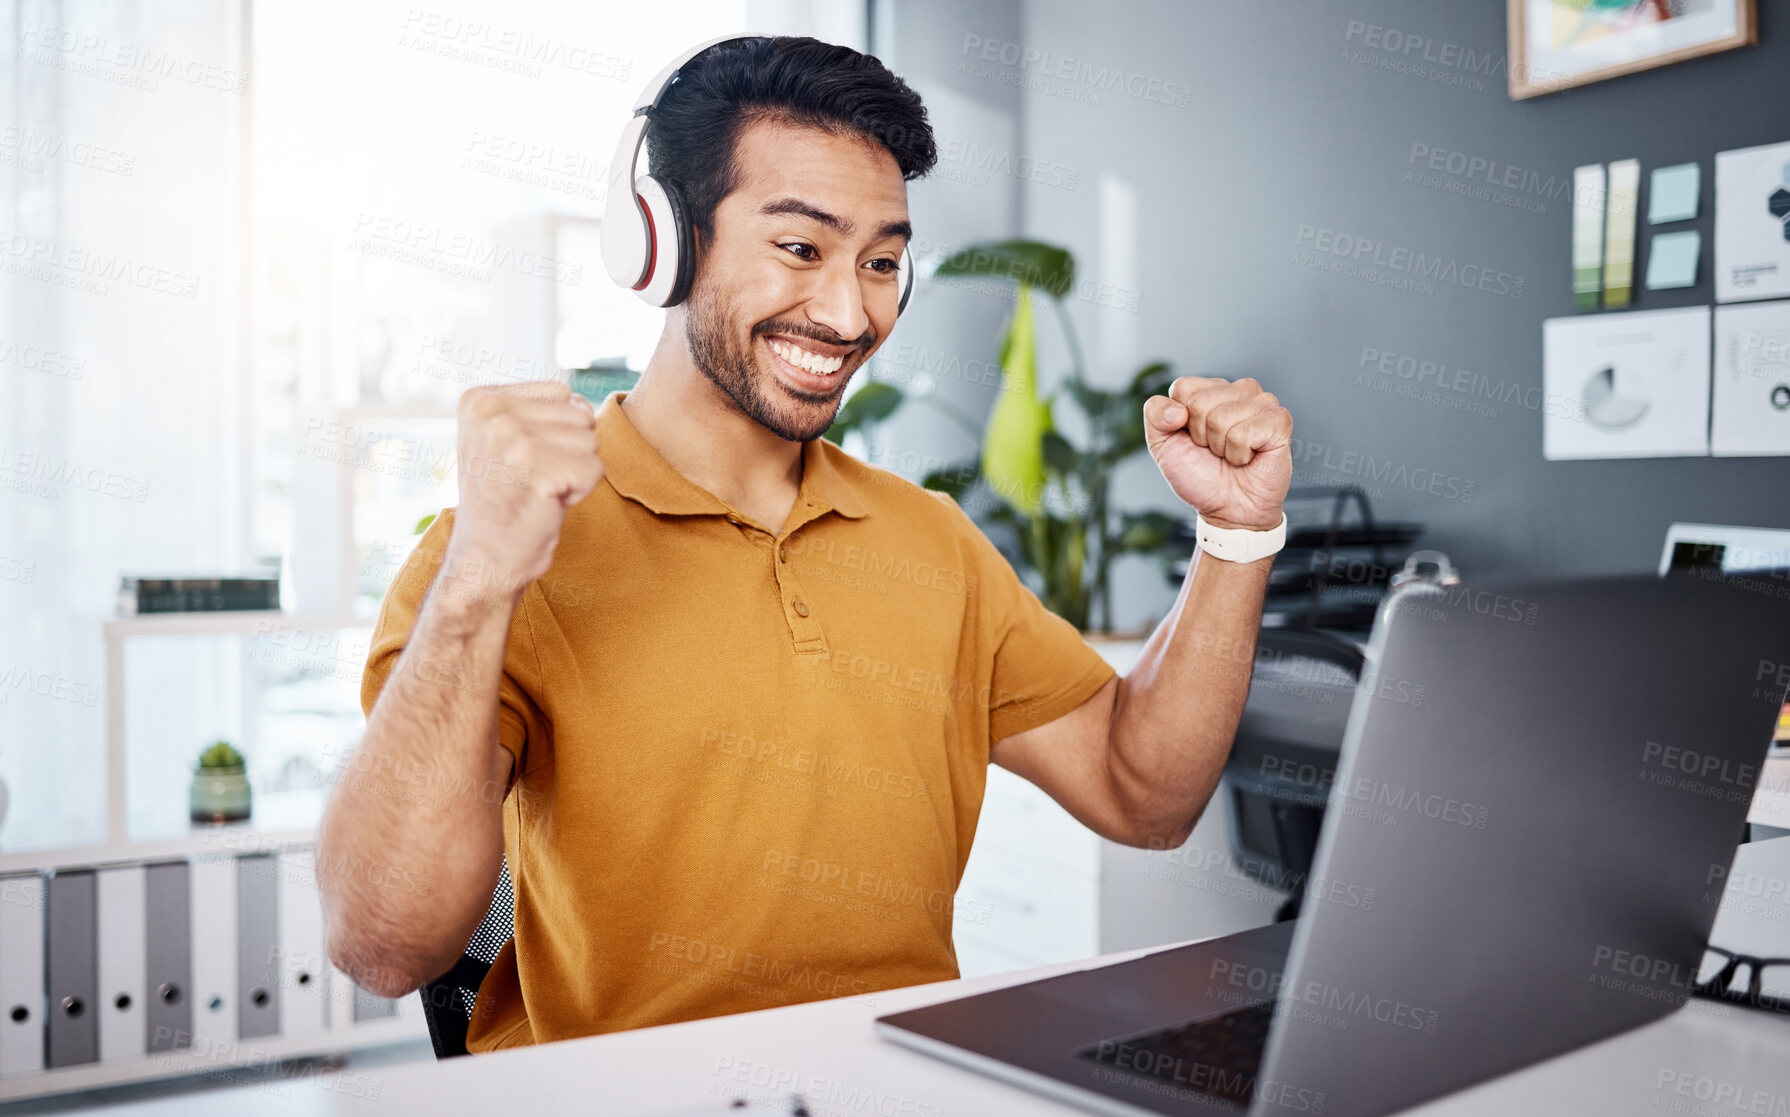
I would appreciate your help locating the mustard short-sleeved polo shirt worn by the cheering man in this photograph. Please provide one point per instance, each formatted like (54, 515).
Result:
(749, 762)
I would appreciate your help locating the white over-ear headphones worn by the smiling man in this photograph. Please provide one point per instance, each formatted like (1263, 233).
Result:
(645, 234)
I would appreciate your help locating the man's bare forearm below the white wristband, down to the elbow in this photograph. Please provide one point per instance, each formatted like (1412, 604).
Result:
(1179, 706)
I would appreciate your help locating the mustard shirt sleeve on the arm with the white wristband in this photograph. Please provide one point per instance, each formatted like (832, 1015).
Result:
(1043, 669)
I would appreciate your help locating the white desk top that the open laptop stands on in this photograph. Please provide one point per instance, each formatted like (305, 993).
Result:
(828, 1050)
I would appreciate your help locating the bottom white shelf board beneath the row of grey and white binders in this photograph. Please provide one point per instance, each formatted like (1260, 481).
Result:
(246, 1055)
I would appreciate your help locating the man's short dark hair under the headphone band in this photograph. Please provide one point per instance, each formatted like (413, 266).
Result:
(695, 132)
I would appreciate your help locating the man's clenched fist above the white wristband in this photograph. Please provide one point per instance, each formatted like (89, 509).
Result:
(1225, 448)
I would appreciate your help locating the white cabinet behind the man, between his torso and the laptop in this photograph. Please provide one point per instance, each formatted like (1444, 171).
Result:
(1043, 889)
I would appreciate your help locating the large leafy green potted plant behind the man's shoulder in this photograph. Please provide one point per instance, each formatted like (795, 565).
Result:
(1053, 495)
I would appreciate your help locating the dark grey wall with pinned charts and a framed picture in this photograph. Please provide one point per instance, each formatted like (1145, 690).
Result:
(1293, 121)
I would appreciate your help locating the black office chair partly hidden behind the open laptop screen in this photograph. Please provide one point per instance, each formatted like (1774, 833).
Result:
(1286, 753)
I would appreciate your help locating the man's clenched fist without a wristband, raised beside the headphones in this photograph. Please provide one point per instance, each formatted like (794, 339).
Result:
(527, 456)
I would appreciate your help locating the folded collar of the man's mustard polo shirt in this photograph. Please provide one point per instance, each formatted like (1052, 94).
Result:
(642, 475)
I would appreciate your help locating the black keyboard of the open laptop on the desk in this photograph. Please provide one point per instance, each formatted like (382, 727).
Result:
(1216, 1055)
